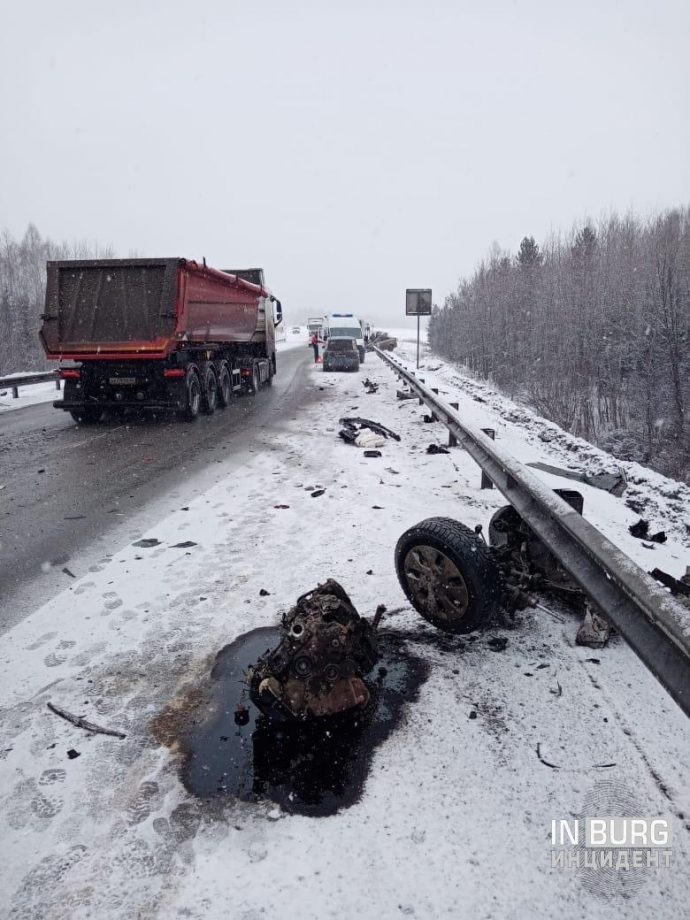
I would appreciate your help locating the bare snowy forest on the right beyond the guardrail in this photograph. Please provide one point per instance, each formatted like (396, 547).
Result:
(590, 329)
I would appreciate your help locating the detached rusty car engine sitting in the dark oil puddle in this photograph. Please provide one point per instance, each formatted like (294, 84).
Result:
(317, 668)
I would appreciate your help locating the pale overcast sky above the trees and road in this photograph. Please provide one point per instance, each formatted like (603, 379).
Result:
(352, 149)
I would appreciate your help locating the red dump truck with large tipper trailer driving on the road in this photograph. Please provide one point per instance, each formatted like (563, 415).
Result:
(165, 334)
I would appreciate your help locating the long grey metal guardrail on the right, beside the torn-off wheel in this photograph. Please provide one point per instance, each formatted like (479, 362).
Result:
(655, 626)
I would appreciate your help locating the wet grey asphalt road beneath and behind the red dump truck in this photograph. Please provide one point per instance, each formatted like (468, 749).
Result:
(72, 494)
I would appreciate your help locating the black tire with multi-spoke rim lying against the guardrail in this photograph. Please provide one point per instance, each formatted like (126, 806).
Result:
(471, 591)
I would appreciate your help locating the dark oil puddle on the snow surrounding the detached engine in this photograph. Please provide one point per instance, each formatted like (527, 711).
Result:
(312, 769)
